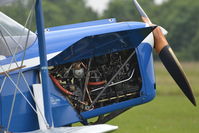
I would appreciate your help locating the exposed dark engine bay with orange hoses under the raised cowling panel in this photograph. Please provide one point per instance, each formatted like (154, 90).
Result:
(99, 81)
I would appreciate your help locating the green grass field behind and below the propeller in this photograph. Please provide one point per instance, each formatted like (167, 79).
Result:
(169, 112)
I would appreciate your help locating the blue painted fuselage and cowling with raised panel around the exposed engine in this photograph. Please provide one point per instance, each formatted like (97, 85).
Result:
(80, 43)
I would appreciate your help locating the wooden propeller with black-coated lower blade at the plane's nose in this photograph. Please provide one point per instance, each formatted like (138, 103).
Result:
(168, 57)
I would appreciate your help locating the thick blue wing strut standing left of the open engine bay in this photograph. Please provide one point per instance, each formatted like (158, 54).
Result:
(43, 60)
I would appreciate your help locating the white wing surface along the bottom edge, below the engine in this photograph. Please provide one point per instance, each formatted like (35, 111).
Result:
(101, 128)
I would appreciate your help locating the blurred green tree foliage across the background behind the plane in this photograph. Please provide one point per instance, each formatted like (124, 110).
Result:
(179, 17)
